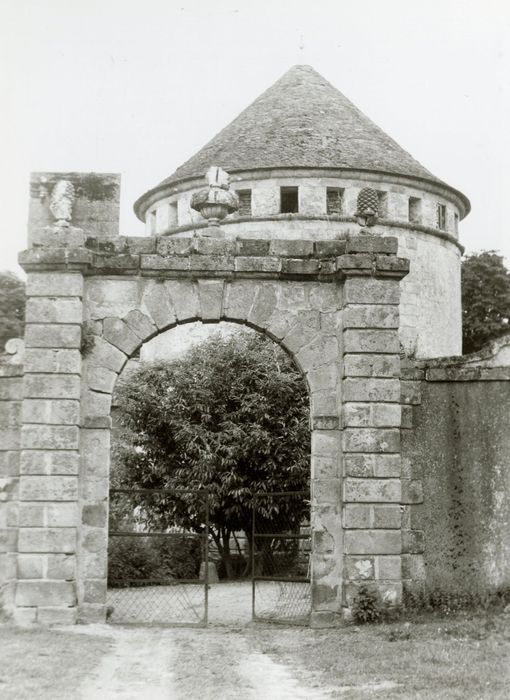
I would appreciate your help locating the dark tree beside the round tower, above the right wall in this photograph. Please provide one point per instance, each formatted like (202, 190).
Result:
(485, 299)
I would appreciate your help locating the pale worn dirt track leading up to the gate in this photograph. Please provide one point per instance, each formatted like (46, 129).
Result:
(188, 664)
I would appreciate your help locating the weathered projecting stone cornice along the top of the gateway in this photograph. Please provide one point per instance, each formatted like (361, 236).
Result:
(218, 257)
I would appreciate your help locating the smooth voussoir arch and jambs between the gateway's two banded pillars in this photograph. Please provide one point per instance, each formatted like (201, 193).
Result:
(302, 319)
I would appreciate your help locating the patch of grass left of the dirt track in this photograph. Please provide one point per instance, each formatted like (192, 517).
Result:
(43, 663)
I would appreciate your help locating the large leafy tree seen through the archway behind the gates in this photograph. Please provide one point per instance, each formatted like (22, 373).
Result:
(231, 416)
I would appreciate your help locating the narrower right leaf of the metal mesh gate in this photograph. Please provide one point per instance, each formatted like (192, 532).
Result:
(280, 550)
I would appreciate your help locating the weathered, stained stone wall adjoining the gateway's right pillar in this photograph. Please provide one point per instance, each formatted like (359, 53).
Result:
(456, 455)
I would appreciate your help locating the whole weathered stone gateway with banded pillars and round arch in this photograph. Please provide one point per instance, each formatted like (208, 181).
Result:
(93, 300)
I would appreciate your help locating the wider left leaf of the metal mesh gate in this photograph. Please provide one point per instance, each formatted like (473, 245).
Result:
(157, 571)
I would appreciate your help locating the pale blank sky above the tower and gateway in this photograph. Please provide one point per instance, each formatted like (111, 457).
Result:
(138, 87)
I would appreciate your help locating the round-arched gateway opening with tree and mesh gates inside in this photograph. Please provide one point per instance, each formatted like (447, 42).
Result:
(210, 477)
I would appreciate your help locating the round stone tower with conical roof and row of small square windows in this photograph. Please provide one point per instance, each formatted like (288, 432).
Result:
(298, 157)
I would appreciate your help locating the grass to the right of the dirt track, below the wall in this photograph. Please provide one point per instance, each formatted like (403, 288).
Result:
(465, 656)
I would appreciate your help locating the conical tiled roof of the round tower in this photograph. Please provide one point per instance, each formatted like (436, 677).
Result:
(302, 121)
